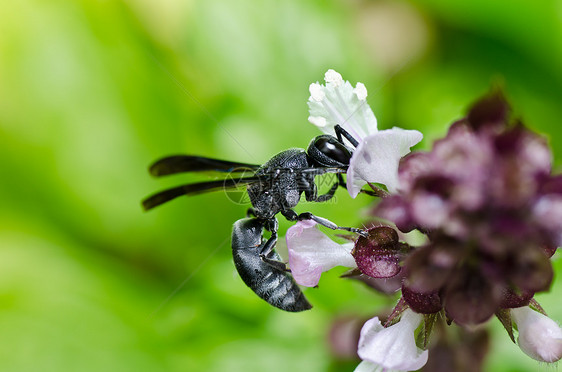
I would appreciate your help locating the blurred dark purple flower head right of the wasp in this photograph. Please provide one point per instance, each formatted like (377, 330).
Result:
(492, 211)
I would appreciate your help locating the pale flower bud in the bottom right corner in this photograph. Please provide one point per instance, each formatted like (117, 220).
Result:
(539, 336)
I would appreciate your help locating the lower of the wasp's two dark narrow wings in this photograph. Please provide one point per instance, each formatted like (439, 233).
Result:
(195, 189)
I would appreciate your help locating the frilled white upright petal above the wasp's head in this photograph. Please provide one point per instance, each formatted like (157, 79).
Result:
(339, 103)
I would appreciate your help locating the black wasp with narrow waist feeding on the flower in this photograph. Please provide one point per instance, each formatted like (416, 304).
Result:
(274, 187)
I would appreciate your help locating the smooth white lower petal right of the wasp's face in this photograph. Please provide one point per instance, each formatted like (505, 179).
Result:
(376, 159)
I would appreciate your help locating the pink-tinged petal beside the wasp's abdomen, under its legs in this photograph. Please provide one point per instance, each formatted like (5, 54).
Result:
(311, 252)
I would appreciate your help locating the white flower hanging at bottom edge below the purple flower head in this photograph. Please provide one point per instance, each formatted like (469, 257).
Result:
(392, 348)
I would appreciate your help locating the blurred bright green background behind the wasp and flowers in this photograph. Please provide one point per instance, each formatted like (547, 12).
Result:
(91, 92)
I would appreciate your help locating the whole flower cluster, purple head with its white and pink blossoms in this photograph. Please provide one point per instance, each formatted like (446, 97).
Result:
(488, 205)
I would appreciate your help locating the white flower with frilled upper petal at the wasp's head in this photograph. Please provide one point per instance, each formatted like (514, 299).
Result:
(377, 156)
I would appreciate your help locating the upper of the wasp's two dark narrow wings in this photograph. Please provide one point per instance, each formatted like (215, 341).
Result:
(189, 163)
